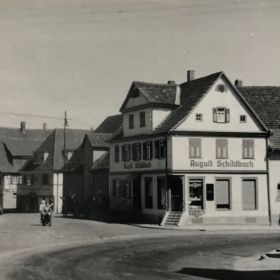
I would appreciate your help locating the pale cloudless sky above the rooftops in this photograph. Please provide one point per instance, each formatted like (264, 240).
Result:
(82, 55)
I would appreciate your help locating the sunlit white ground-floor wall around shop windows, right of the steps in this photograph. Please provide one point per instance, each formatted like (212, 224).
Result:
(236, 210)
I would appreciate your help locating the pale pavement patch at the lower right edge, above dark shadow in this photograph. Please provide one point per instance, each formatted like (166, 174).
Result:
(269, 261)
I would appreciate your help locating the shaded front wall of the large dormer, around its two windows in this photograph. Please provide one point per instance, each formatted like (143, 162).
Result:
(137, 130)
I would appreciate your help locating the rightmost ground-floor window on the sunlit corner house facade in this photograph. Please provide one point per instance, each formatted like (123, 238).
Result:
(249, 194)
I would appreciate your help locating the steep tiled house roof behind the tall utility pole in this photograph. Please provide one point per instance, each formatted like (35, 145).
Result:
(54, 146)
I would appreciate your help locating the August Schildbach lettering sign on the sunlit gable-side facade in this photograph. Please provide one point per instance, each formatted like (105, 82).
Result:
(221, 163)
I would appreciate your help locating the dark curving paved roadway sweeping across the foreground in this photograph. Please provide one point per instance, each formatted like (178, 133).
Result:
(177, 257)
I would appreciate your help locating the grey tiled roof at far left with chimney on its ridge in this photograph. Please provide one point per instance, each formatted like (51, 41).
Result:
(22, 143)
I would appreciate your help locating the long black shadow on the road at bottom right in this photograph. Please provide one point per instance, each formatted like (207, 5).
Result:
(226, 274)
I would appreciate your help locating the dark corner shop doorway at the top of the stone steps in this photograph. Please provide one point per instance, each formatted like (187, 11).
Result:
(176, 187)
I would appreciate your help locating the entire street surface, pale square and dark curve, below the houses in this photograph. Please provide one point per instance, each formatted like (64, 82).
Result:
(80, 249)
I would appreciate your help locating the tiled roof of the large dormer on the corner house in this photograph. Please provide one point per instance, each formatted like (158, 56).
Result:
(156, 94)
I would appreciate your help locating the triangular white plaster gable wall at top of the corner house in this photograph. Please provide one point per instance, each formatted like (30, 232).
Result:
(215, 99)
